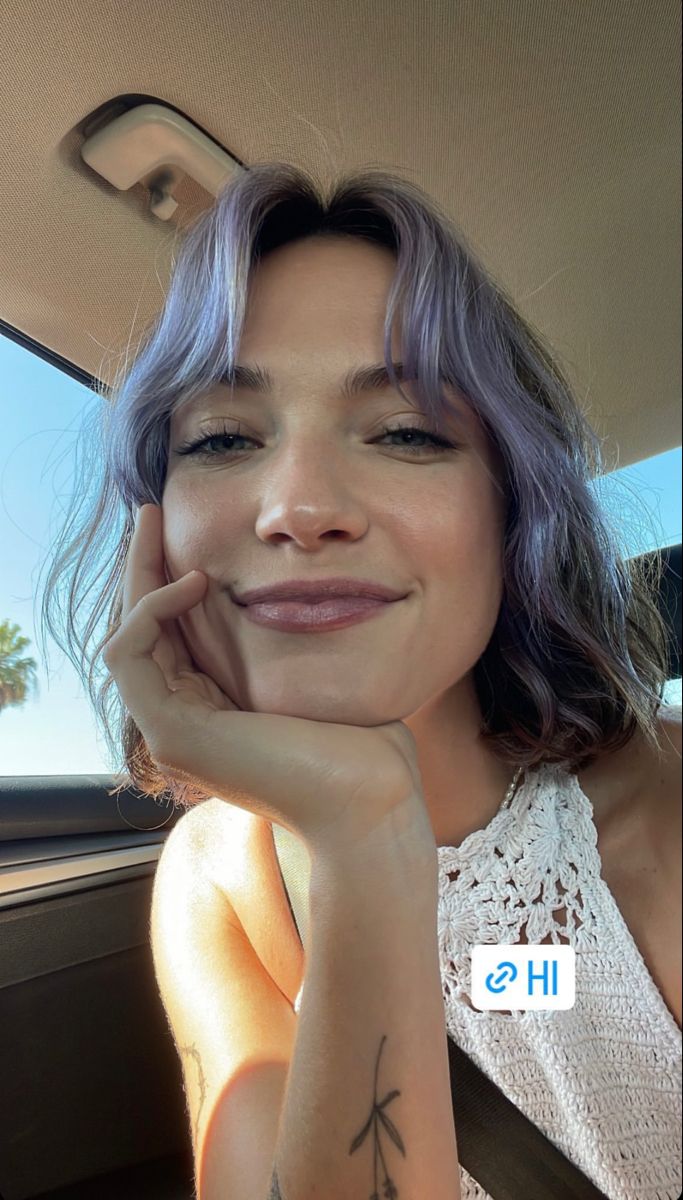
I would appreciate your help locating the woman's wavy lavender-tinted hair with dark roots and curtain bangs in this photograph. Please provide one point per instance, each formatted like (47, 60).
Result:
(579, 656)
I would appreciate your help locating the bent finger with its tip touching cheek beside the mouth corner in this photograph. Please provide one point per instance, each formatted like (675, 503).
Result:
(129, 653)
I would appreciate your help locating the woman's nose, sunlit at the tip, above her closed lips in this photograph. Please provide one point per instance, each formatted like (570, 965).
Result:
(308, 499)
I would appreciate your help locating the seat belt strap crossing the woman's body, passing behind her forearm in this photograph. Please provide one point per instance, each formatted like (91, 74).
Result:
(500, 1148)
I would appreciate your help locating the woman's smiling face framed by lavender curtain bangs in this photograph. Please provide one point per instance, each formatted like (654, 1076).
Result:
(317, 491)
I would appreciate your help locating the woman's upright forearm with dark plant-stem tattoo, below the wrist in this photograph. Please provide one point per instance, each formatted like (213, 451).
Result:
(369, 1090)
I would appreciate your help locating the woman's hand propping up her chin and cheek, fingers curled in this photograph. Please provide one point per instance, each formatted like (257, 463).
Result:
(333, 785)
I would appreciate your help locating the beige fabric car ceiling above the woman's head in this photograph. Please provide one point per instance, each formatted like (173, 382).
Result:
(548, 130)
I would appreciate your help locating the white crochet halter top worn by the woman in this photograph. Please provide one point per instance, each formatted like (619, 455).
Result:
(603, 1079)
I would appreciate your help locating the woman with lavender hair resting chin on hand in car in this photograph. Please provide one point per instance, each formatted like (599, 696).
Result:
(337, 389)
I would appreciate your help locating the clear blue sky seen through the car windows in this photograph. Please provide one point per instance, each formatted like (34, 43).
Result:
(55, 731)
